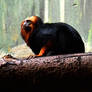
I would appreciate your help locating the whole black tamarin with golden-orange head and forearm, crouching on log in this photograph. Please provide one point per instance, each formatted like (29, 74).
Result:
(47, 39)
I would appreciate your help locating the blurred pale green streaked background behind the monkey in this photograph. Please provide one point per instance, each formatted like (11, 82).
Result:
(74, 12)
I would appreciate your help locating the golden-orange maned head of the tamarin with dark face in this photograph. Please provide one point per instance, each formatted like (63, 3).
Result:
(29, 25)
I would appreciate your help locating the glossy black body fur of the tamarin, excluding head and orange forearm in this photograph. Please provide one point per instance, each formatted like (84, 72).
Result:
(65, 39)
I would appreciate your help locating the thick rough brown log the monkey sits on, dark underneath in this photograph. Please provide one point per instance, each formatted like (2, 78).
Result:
(64, 73)
